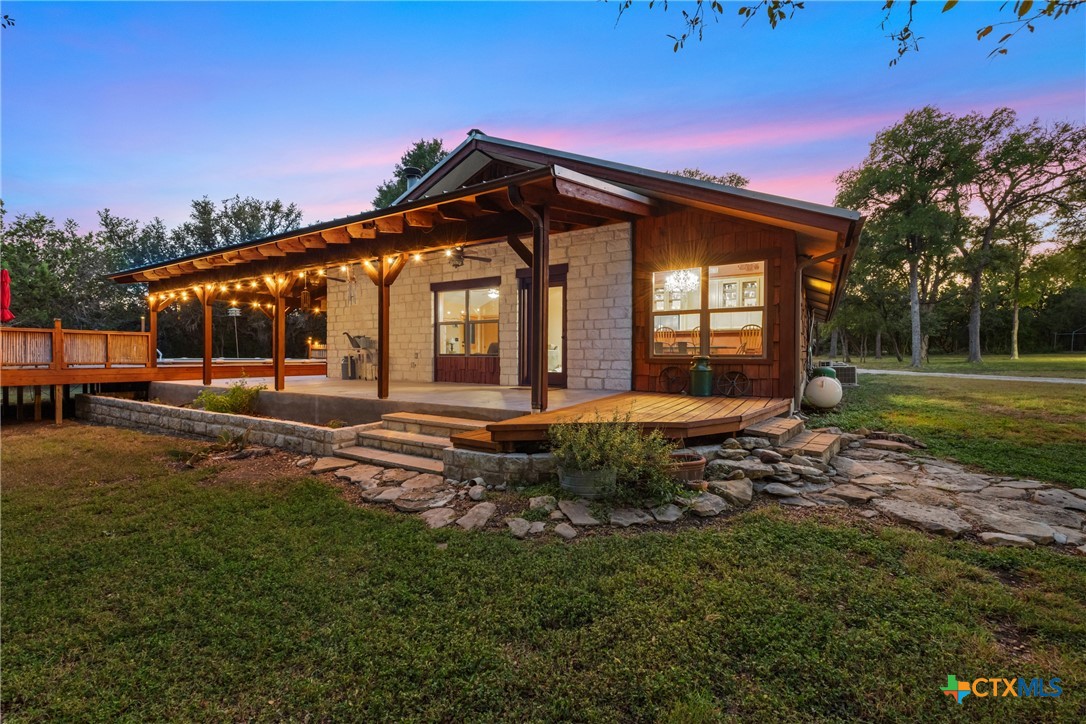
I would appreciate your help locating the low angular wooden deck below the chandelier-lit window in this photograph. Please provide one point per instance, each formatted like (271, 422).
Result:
(676, 416)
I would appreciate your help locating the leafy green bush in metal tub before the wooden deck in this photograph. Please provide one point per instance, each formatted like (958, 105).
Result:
(641, 462)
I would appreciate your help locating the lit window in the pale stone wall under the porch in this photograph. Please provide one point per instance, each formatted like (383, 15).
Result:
(468, 322)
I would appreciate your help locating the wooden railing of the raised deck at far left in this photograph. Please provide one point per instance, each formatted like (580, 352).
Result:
(66, 349)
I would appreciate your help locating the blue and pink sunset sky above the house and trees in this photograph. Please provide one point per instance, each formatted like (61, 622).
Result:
(144, 107)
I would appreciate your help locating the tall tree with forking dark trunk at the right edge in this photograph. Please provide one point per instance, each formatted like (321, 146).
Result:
(1022, 172)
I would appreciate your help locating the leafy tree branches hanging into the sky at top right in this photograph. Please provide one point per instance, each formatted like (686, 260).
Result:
(899, 19)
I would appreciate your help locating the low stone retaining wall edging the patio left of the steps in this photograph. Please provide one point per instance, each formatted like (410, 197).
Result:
(149, 417)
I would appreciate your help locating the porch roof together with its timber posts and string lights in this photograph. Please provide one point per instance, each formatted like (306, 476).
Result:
(291, 271)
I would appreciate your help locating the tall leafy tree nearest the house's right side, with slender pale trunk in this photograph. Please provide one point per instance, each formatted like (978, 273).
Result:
(915, 171)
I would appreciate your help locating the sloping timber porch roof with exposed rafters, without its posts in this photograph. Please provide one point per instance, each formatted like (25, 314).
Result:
(473, 215)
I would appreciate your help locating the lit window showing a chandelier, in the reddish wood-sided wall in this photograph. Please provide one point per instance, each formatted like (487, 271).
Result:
(717, 311)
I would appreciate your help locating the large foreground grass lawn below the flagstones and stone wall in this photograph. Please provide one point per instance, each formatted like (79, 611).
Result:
(135, 590)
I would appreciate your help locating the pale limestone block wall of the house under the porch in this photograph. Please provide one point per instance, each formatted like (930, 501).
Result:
(599, 317)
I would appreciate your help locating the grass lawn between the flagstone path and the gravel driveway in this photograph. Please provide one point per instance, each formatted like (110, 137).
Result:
(1016, 429)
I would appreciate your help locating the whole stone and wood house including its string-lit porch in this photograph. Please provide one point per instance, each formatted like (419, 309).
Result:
(515, 265)
